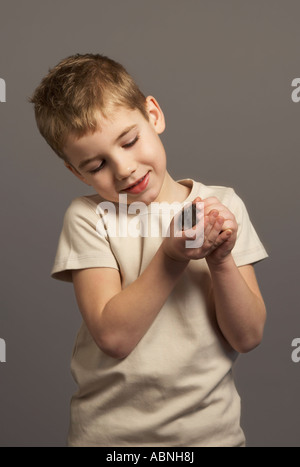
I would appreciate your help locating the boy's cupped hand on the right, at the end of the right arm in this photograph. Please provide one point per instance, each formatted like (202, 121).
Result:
(228, 232)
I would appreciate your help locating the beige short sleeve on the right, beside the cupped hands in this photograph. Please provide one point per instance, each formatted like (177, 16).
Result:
(248, 248)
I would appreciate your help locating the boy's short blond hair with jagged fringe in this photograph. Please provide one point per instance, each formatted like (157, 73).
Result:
(70, 96)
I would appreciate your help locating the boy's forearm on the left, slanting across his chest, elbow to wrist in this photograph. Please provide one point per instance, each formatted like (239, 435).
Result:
(129, 314)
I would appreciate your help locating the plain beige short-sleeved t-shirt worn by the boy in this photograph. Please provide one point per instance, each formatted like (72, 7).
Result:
(176, 387)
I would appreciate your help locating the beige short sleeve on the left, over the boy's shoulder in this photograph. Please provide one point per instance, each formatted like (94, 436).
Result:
(80, 246)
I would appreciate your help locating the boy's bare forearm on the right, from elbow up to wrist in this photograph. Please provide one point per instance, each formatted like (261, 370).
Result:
(240, 312)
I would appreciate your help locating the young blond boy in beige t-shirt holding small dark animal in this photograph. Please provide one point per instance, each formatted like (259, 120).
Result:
(163, 321)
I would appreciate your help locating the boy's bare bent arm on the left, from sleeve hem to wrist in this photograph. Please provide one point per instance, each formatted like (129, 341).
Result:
(117, 319)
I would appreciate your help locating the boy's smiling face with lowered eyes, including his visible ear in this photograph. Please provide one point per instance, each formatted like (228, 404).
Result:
(126, 156)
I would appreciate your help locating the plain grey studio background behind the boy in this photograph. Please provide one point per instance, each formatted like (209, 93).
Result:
(222, 72)
